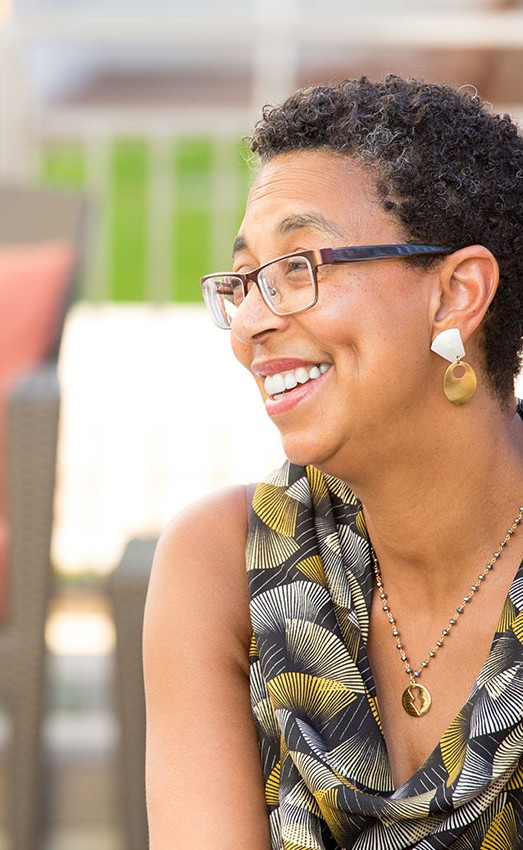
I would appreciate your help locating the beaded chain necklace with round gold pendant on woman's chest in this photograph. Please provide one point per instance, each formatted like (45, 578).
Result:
(416, 698)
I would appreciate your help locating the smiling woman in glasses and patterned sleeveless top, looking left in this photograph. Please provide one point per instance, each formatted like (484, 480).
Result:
(383, 647)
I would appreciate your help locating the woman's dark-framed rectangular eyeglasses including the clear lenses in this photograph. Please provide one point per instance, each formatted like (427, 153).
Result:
(289, 284)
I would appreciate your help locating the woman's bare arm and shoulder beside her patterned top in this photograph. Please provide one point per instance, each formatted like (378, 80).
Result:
(204, 780)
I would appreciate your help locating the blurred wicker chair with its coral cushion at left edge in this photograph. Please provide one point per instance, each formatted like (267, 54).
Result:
(34, 224)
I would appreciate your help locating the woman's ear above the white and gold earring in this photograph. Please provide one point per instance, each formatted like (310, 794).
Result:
(468, 282)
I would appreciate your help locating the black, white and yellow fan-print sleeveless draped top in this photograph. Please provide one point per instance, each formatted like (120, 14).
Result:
(328, 781)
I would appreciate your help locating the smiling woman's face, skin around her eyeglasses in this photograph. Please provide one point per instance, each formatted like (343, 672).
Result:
(368, 336)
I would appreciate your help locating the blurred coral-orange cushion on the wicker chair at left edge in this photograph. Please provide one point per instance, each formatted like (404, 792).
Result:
(33, 285)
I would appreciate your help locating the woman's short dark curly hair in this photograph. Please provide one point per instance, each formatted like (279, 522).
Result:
(445, 165)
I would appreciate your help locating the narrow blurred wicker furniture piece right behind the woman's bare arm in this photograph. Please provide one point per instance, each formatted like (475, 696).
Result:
(128, 586)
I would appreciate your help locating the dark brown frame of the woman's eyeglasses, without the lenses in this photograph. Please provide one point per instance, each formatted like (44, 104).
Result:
(323, 257)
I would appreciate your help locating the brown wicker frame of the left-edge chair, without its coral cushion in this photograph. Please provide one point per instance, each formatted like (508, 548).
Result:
(30, 217)
